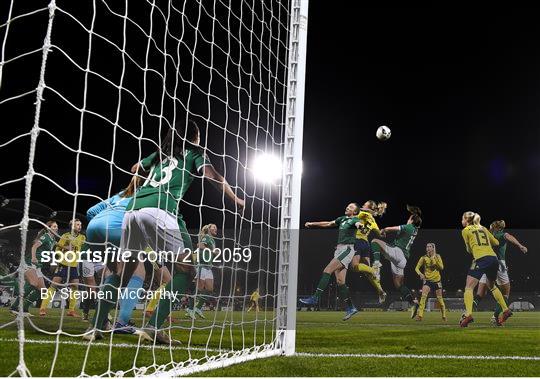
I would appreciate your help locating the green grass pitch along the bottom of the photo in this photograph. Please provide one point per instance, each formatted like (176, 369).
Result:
(317, 332)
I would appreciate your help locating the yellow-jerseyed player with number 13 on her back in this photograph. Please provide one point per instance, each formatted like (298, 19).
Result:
(478, 241)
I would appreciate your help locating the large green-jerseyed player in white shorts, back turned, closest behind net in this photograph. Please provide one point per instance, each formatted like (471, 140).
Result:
(153, 219)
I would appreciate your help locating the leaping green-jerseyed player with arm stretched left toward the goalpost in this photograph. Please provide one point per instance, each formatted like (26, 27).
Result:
(343, 256)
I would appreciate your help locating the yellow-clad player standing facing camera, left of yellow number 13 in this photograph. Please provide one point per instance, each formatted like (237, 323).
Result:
(432, 264)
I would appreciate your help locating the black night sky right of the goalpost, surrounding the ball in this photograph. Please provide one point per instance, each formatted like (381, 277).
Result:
(460, 90)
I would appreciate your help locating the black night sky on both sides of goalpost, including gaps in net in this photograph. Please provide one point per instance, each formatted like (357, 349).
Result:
(460, 89)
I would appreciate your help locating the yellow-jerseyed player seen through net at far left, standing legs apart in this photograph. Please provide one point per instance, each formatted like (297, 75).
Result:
(68, 270)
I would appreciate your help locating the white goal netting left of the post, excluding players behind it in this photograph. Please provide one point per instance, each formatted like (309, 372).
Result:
(88, 88)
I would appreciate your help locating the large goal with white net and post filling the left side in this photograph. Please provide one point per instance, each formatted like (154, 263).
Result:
(90, 88)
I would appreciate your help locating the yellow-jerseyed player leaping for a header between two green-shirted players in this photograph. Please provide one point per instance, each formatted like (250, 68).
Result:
(362, 248)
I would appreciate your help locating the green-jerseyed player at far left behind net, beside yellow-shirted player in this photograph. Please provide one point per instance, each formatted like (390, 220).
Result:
(34, 282)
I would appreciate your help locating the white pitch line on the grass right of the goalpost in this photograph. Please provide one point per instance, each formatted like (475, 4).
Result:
(419, 356)
